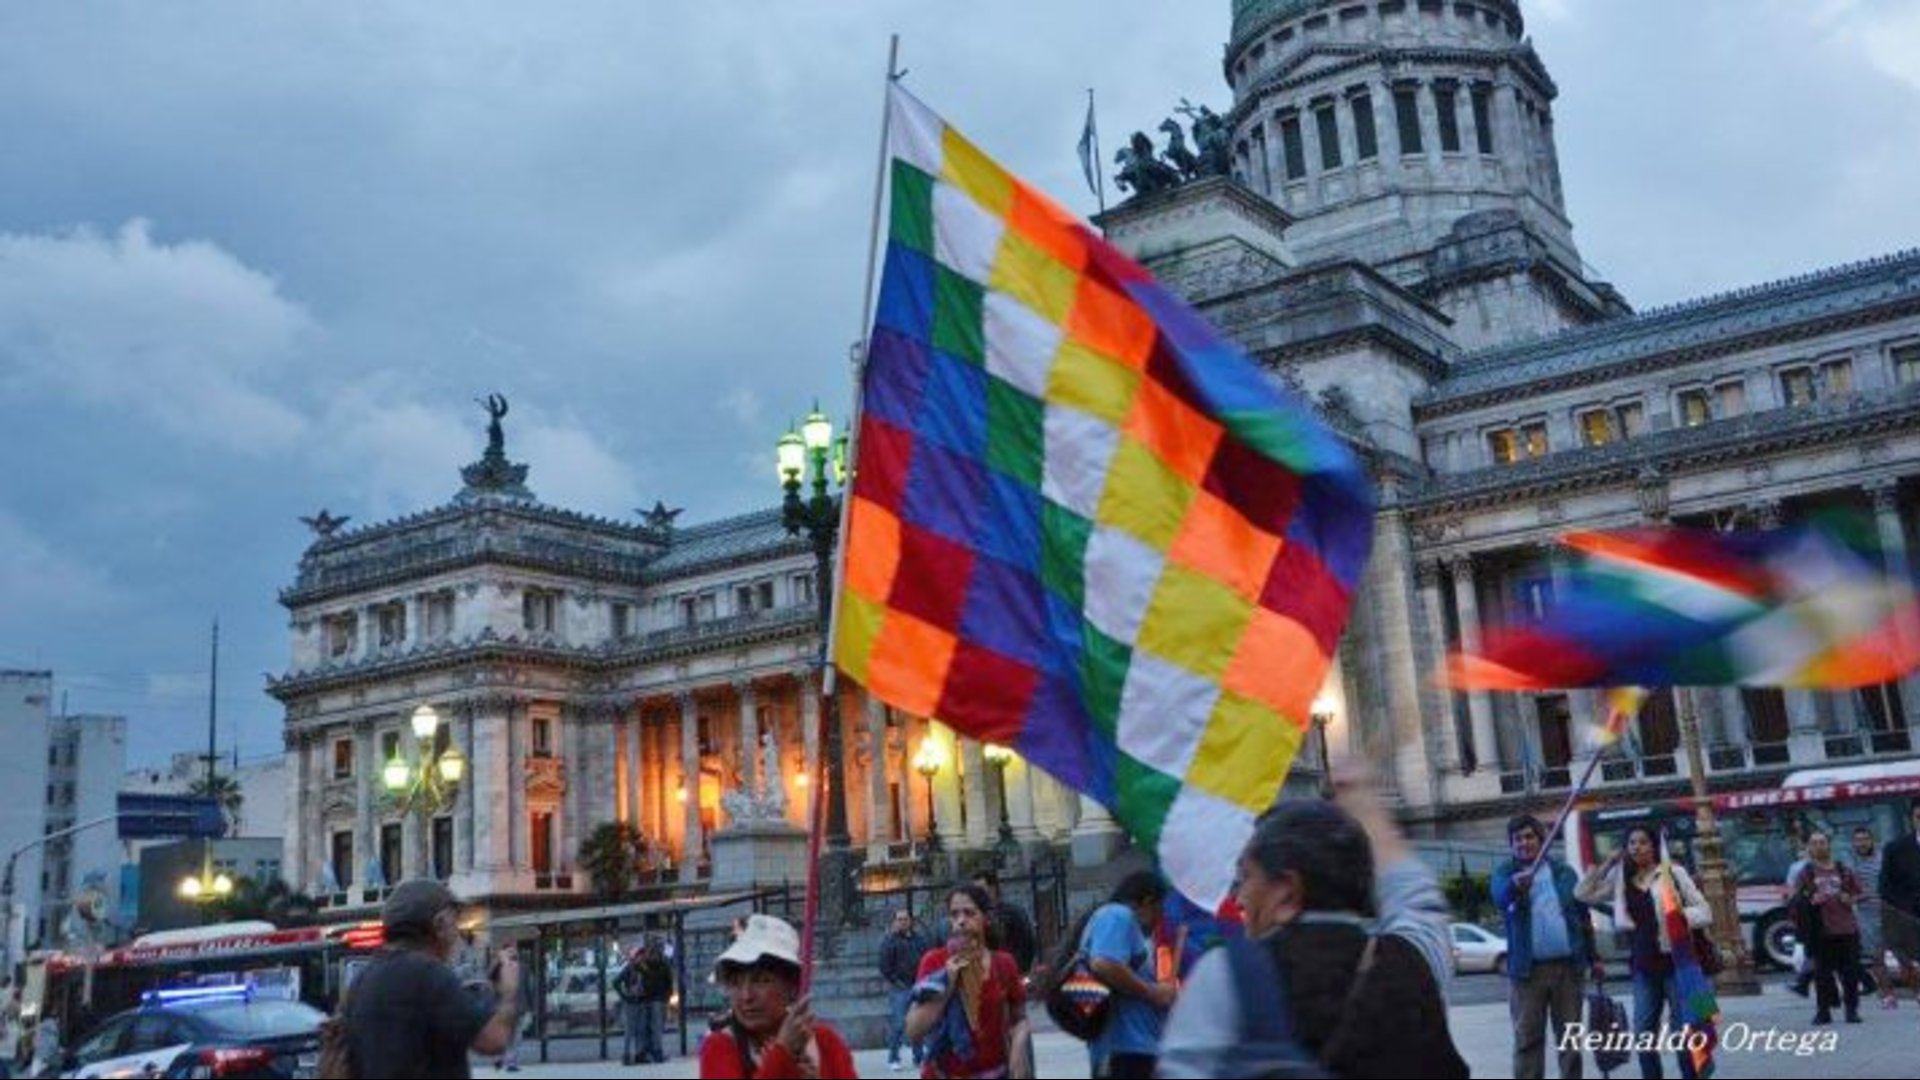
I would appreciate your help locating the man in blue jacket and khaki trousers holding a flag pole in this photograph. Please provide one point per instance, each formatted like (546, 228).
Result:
(1550, 948)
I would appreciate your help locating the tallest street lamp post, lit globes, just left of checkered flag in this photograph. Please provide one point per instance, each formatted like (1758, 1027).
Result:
(819, 460)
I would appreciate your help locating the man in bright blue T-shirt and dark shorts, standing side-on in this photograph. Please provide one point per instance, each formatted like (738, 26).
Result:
(1120, 952)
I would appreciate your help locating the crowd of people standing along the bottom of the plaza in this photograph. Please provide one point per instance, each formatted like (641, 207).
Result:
(1339, 933)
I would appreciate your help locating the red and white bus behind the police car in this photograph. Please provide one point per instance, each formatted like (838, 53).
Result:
(308, 964)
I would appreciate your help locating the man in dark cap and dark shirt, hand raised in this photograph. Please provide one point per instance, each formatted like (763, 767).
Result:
(408, 1014)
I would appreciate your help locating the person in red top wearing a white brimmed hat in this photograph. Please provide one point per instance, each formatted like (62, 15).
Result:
(773, 1031)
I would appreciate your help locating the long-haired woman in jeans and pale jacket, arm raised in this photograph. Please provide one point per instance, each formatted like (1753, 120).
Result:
(1627, 885)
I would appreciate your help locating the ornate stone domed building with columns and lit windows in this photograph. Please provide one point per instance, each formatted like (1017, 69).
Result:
(1395, 245)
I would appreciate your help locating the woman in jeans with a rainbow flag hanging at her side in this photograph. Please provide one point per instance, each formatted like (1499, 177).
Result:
(1641, 887)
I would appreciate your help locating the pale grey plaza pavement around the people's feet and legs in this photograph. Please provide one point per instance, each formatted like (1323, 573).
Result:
(1888, 1044)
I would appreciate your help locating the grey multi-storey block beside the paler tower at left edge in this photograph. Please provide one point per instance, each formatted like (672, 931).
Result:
(85, 760)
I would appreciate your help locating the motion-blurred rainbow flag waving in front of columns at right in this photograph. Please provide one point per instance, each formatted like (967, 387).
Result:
(1810, 606)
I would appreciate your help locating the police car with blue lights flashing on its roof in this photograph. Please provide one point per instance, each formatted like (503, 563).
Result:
(204, 1033)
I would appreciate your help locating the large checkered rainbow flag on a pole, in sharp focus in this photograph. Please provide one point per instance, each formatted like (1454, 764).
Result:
(1082, 524)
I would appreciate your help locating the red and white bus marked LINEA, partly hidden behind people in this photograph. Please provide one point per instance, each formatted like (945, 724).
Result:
(1762, 833)
